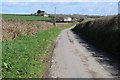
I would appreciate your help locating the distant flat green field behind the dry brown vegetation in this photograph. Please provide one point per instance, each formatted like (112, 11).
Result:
(22, 17)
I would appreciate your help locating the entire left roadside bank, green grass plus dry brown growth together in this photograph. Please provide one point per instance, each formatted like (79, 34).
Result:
(26, 47)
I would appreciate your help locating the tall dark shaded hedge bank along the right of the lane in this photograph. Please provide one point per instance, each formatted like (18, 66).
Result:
(103, 32)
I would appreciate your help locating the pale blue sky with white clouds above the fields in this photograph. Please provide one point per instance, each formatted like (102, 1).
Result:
(85, 7)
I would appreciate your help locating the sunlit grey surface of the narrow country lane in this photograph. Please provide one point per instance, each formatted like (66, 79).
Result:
(72, 58)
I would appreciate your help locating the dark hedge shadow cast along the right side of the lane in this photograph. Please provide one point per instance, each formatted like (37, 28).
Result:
(109, 61)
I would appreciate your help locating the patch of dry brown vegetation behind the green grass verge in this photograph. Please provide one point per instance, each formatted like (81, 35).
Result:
(11, 28)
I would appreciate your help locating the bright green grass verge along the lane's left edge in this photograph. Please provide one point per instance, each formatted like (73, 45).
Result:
(24, 56)
